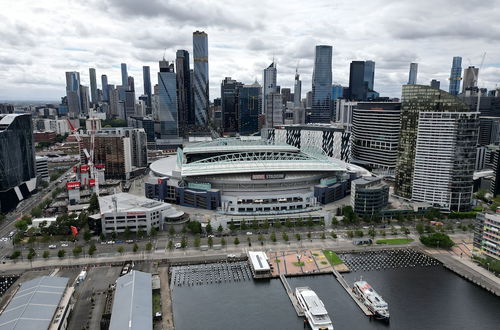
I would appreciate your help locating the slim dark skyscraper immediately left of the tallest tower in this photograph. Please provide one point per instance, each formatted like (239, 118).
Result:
(186, 114)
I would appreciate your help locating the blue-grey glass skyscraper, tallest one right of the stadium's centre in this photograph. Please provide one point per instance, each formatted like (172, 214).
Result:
(321, 110)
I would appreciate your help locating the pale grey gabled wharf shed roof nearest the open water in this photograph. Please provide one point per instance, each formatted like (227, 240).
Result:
(132, 304)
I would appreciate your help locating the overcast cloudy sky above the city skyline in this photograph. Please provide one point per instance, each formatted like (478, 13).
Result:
(40, 40)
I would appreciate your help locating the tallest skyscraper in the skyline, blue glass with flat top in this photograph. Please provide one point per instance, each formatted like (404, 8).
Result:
(201, 87)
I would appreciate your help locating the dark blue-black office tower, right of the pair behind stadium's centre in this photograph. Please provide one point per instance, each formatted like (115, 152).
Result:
(249, 108)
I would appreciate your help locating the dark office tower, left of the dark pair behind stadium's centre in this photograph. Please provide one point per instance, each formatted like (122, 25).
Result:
(230, 103)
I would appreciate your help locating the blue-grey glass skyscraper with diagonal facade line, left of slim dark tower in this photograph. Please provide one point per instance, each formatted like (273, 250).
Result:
(167, 85)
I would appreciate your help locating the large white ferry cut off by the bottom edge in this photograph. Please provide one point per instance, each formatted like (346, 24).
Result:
(314, 310)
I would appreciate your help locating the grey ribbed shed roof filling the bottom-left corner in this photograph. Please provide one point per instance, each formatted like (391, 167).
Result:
(34, 304)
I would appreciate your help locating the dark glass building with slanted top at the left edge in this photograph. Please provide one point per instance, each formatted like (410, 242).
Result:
(17, 159)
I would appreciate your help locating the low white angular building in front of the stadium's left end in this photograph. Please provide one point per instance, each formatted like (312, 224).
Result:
(124, 210)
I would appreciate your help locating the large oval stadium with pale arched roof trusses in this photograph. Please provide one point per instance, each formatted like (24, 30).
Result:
(247, 176)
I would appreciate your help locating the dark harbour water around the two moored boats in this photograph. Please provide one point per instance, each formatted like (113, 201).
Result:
(419, 298)
